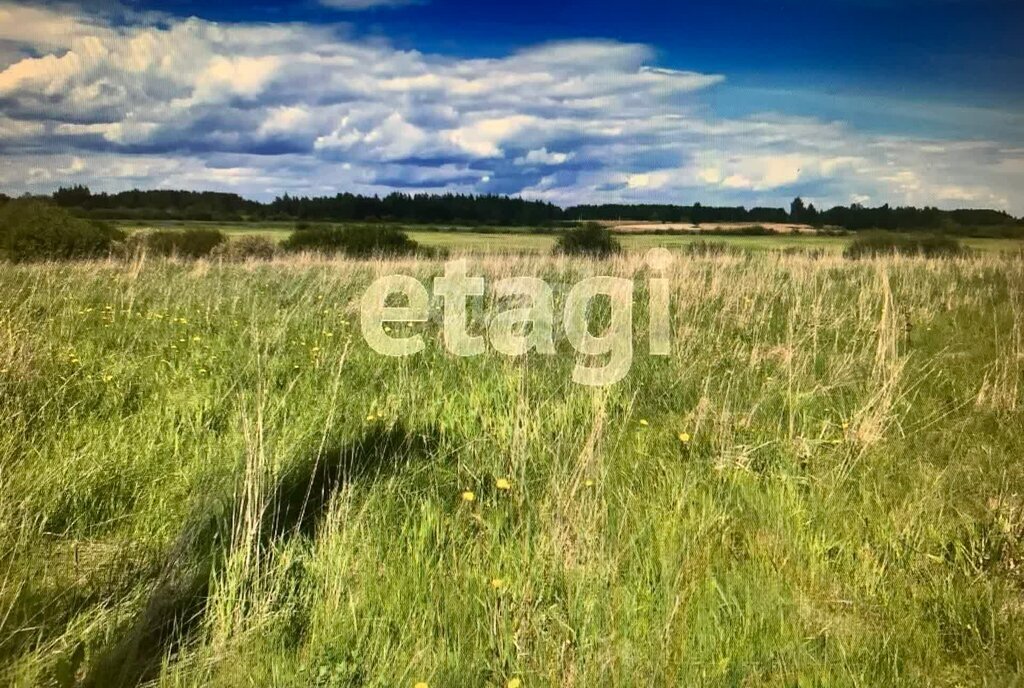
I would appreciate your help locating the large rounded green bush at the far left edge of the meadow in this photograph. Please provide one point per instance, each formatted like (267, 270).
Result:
(35, 231)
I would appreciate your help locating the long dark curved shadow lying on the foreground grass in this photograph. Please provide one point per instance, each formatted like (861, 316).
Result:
(301, 500)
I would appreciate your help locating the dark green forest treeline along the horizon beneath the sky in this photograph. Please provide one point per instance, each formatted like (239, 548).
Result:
(506, 211)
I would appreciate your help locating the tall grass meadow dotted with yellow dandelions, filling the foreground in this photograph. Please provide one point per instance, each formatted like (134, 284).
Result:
(207, 479)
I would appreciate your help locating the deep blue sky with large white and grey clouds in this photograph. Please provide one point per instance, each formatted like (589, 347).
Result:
(751, 103)
